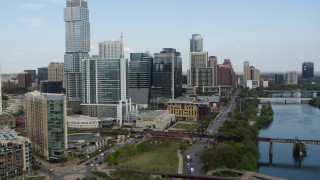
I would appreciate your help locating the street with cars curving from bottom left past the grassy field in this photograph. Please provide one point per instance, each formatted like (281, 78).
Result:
(84, 169)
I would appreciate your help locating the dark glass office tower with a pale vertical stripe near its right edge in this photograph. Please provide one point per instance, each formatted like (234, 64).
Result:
(166, 74)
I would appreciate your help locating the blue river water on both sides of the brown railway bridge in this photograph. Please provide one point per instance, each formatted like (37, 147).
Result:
(292, 121)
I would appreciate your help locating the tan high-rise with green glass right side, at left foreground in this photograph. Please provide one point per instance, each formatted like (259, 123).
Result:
(46, 123)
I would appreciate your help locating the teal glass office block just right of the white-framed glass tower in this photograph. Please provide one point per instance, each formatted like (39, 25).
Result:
(139, 78)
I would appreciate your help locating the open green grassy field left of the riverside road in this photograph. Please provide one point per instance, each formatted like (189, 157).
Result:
(162, 158)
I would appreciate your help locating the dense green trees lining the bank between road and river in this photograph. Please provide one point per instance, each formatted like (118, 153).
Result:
(242, 152)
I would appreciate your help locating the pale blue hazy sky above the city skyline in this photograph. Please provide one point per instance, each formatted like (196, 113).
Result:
(273, 35)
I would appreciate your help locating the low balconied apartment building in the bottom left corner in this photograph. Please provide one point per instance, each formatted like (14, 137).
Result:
(15, 154)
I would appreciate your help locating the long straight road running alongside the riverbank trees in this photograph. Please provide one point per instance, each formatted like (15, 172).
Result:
(195, 150)
